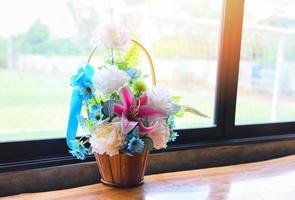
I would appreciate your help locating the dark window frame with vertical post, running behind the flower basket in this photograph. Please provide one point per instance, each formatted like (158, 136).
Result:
(52, 152)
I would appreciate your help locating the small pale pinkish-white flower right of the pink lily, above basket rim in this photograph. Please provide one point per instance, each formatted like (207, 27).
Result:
(160, 134)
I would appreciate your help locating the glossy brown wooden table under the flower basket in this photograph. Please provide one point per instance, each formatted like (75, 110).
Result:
(268, 180)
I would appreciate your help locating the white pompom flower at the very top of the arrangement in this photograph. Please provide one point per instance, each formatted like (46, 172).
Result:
(113, 35)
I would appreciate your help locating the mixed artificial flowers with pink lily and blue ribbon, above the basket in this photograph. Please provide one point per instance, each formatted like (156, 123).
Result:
(114, 105)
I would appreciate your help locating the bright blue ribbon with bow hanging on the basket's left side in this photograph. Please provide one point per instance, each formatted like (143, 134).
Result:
(84, 74)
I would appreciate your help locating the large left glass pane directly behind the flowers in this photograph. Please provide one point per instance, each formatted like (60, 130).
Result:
(42, 45)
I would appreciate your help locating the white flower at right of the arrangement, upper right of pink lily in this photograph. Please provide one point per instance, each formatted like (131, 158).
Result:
(161, 99)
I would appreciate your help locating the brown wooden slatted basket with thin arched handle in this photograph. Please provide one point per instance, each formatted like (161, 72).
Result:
(123, 170)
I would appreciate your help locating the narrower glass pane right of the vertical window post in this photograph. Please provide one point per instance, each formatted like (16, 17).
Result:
(266, 90)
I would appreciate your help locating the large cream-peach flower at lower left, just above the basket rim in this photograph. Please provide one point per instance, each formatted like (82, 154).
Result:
(107, 138)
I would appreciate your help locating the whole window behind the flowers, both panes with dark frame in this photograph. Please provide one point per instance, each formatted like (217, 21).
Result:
(237, 71)
